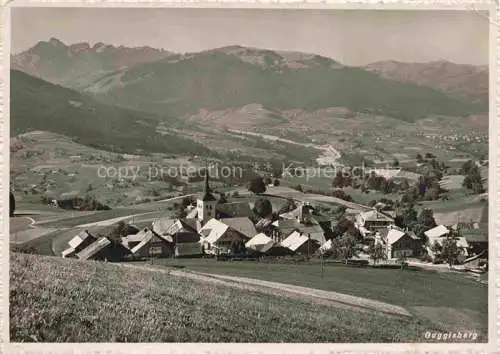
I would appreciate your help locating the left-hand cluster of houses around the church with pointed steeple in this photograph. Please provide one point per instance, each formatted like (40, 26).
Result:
(211, 228)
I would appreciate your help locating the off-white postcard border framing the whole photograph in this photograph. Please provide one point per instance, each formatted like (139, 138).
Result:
(493, 344)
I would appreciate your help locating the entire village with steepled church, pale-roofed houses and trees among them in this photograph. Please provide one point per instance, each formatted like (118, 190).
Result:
(234, 230)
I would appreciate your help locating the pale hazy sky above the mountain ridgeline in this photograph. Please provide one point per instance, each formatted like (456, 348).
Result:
(352, 37)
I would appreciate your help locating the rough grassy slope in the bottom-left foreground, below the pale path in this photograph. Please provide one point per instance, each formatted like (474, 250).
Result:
(58, 300)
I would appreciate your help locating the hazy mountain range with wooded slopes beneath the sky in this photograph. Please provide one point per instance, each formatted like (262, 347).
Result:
(117, 97)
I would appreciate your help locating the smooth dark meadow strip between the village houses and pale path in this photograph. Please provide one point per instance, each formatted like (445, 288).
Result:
(404, 288)
